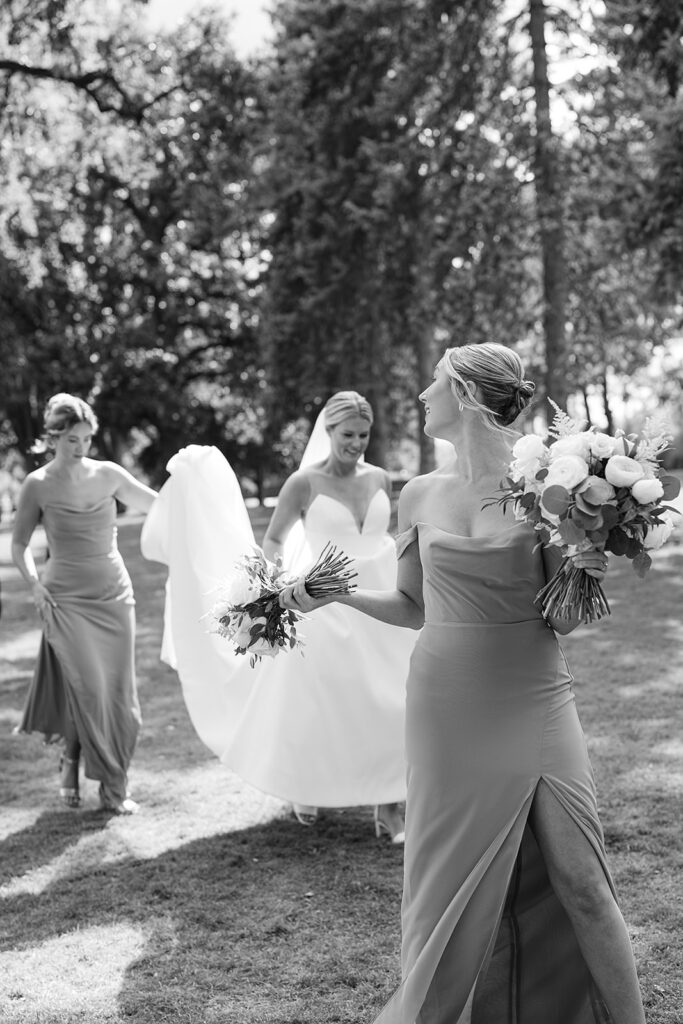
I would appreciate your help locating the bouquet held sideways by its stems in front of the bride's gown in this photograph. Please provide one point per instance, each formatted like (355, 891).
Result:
(248, 613)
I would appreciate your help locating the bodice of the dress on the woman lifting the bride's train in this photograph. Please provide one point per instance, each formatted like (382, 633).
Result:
(76, 534)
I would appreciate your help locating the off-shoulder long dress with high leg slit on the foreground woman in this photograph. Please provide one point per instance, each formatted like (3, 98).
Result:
(491, 712)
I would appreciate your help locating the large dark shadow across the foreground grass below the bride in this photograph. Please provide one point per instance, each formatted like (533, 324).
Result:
(271, 924)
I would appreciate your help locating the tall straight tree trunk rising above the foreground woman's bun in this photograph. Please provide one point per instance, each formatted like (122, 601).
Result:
(549, 207)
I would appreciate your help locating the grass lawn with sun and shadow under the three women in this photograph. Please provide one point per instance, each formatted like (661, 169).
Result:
(214, 907)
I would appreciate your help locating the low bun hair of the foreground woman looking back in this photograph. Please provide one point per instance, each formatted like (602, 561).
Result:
(499, 374)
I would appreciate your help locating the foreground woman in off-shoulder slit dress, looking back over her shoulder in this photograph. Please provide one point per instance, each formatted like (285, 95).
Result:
(509, 914)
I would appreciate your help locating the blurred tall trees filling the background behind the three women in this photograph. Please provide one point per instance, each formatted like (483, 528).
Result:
(206, 247)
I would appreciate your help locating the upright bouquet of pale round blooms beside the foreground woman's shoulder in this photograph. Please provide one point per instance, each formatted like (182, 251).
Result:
(584, 490)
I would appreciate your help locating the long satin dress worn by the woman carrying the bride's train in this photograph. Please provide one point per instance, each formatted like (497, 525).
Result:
(86, 674)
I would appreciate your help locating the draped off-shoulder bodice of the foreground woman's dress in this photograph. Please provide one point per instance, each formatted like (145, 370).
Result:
(479, 579)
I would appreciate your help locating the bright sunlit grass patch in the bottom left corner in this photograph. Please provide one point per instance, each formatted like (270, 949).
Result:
(73, 974)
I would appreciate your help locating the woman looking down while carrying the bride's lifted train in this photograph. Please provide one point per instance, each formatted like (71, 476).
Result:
(83, 690)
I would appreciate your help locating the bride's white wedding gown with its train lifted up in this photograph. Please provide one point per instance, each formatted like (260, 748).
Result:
(324, 729)
